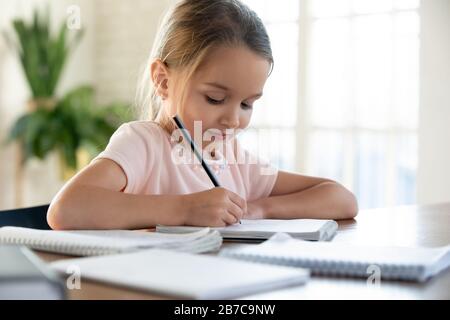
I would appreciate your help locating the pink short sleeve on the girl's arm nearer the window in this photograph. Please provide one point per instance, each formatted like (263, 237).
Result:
(258, 174)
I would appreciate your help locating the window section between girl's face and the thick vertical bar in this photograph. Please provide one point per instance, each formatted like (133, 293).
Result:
(272, 133)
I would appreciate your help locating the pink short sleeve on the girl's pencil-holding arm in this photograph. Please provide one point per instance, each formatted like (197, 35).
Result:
(130, 148)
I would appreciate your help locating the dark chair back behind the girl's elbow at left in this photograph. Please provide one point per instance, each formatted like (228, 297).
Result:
(31, 217)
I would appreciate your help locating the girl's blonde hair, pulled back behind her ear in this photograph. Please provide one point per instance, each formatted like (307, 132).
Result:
(186, 35)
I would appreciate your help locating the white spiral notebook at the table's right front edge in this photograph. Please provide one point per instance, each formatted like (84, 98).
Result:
(340, 259)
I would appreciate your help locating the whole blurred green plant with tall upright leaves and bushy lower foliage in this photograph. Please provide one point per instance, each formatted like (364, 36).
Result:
(64, 124)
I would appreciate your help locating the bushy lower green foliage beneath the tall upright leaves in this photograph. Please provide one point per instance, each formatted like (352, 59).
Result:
(74, 122)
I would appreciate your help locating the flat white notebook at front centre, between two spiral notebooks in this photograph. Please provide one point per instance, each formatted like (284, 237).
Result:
(184, 275)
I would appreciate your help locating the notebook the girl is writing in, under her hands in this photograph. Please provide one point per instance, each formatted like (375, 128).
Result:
(263, 229)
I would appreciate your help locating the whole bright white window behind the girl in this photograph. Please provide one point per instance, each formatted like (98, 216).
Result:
(342, 101)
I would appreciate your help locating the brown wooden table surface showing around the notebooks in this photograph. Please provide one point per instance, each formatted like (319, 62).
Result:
(427, 226)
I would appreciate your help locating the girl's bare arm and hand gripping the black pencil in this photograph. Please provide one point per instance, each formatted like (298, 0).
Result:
(93, 199)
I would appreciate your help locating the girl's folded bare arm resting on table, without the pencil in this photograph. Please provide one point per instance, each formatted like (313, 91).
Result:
(297, 196)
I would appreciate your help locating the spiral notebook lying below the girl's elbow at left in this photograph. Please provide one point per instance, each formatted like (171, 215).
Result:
(102, 242)
